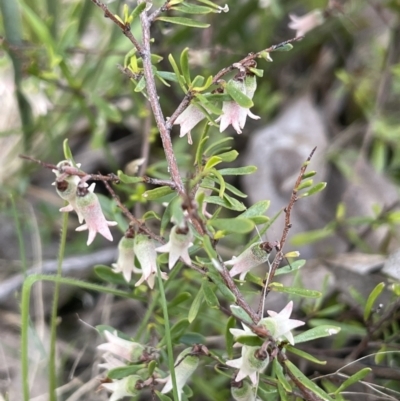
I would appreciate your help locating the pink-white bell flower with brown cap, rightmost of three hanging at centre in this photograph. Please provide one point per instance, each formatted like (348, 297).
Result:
(180, 240)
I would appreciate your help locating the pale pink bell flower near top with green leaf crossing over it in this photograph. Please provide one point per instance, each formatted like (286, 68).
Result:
(233, 114)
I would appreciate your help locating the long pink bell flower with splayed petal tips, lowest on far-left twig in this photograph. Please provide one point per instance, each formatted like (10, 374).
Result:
(88, 205)
